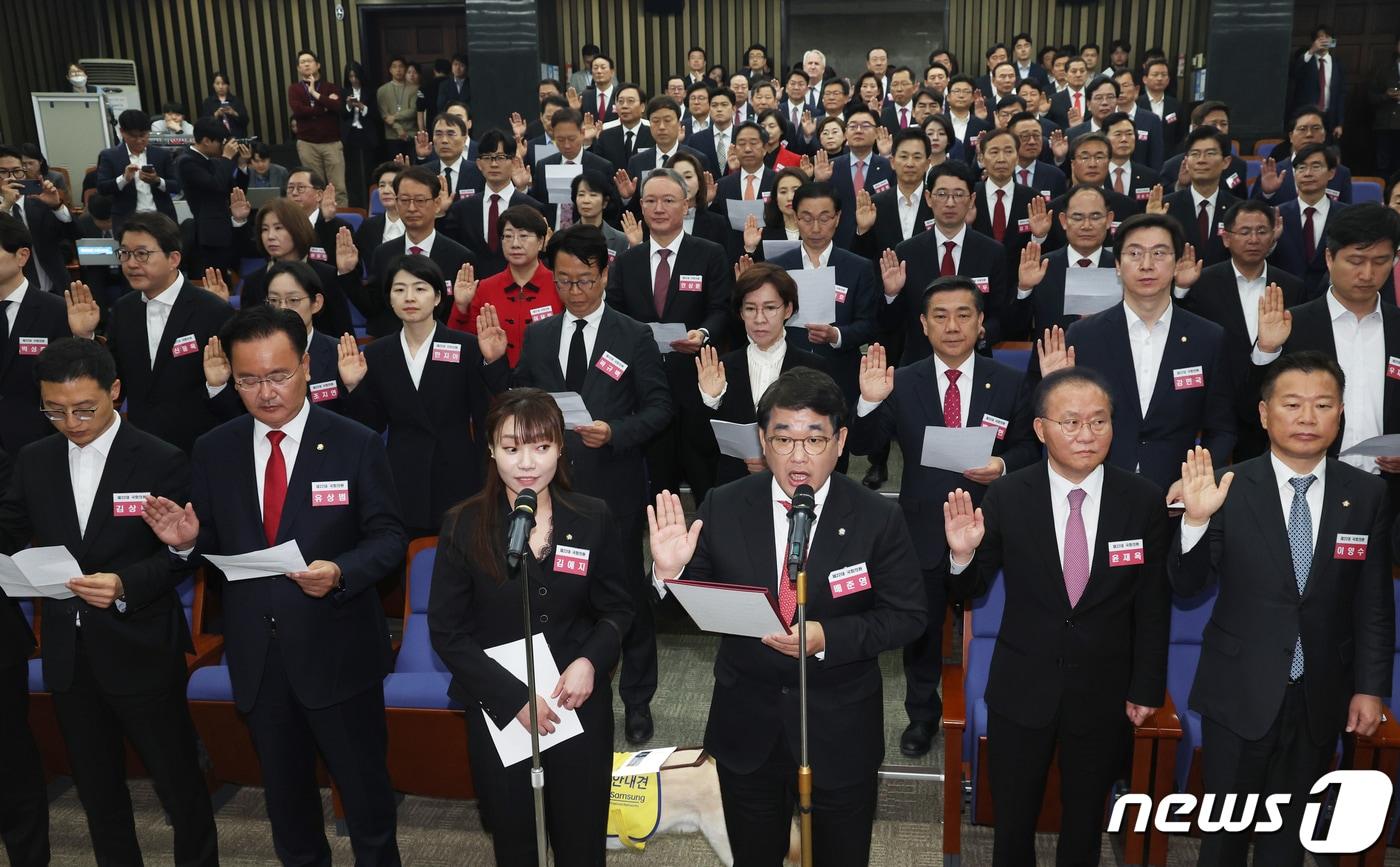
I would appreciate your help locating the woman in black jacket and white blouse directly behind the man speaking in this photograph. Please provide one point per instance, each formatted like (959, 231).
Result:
(765, 298)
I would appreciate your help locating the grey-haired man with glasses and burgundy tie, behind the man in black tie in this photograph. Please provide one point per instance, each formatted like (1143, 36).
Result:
(674, 278)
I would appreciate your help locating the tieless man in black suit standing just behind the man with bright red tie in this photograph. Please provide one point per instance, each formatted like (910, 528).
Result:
(157, 334)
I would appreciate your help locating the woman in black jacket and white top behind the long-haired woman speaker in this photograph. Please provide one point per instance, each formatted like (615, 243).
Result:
(429, 387)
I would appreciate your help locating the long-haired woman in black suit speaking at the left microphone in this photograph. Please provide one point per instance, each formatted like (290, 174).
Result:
(580, 604)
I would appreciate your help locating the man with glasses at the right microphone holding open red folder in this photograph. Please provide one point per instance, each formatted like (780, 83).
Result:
(864, 597)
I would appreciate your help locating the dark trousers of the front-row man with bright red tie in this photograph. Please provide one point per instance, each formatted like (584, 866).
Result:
(353, 740)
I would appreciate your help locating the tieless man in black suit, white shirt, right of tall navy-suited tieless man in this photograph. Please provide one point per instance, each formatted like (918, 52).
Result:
(1230, 296)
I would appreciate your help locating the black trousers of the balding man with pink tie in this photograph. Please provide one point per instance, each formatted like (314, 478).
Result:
(1020, 761)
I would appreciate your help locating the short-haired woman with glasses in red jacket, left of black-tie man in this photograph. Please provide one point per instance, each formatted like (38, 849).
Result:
(523, 293)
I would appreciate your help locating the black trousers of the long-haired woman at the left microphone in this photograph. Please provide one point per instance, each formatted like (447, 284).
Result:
(577, 788)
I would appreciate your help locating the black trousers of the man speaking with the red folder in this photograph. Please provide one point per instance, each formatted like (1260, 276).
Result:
(758, 814)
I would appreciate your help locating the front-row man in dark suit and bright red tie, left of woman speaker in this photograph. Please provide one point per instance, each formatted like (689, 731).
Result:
(307, 652)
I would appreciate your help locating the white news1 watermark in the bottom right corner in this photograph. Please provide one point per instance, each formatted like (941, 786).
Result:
(1360, 803)
